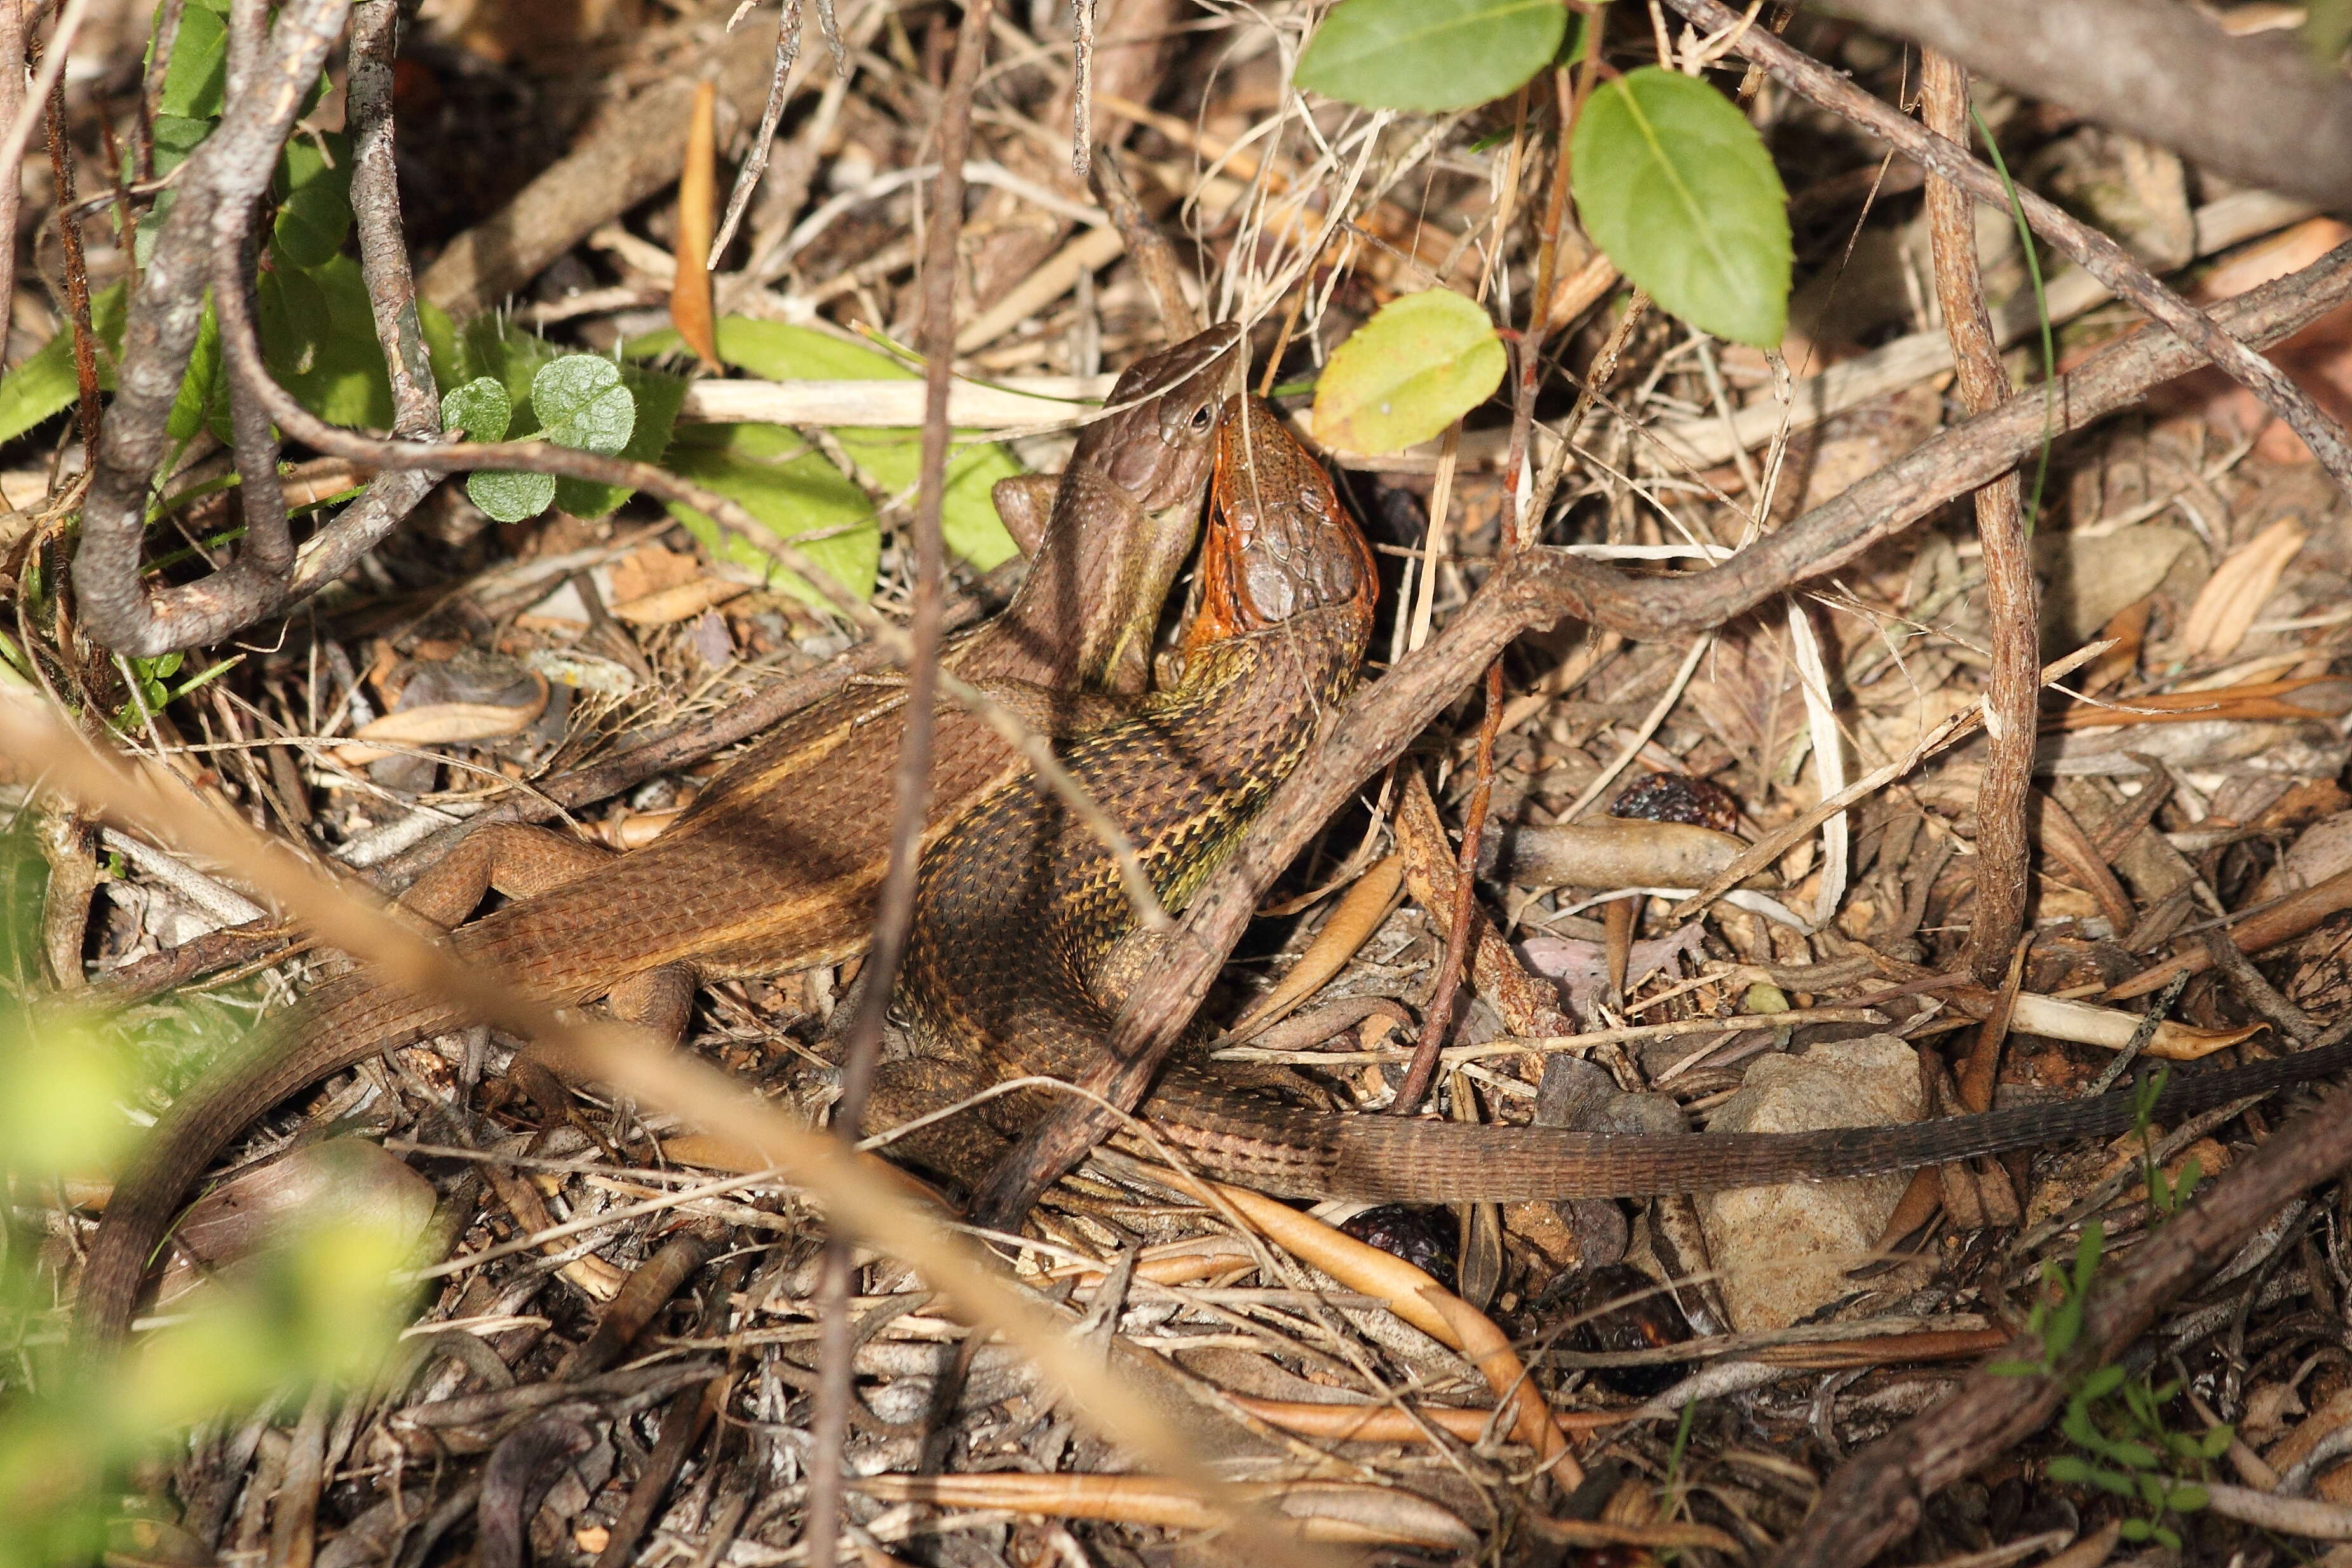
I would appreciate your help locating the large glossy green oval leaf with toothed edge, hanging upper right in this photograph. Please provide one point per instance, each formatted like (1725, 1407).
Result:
(1678, 189)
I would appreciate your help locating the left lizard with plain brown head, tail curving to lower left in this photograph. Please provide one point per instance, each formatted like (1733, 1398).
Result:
(777, 864)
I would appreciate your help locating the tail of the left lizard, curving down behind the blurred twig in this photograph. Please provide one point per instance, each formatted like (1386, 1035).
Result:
(338, 1026)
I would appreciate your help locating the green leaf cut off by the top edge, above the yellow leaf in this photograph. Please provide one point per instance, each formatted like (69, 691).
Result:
(1431, 55)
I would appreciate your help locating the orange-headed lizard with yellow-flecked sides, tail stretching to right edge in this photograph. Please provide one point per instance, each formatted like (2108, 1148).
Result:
(1022, 934)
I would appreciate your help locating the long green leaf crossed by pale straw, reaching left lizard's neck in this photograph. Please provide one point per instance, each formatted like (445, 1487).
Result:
(890, 460)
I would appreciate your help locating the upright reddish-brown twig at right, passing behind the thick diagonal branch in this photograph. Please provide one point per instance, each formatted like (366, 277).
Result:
(2014, 685)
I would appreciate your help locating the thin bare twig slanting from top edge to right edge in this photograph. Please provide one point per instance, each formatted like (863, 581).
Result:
(2092, 250)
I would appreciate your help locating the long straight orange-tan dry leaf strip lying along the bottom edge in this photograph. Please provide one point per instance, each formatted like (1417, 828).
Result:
(1323, 1510)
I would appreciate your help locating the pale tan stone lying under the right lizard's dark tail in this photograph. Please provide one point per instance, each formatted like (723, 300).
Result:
(1784, 1252)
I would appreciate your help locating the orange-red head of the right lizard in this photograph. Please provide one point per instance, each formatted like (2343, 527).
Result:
(1281, 542)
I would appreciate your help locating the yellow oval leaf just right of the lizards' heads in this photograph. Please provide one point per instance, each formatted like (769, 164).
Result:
(1410, 373)
